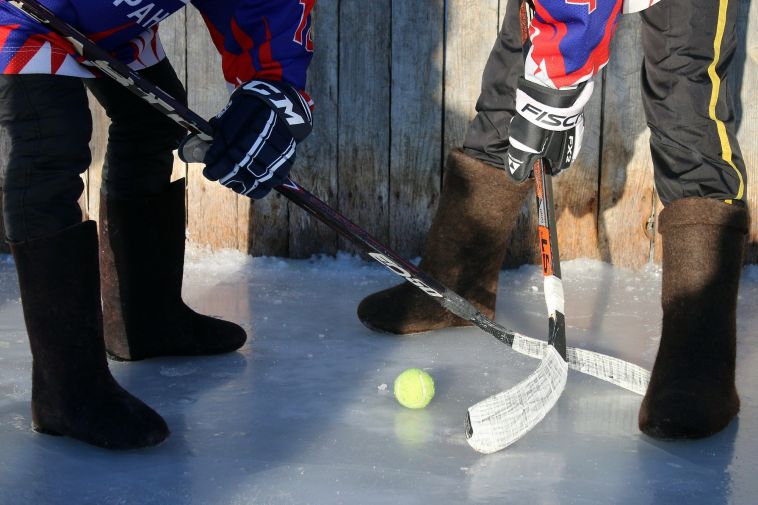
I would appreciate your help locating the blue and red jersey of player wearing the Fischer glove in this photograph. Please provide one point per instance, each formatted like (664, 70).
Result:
(570, 39)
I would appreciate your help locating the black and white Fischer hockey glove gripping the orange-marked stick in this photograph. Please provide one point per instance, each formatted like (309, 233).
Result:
(549, 124)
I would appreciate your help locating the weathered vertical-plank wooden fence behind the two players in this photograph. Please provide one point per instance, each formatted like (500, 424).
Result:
(395, 84)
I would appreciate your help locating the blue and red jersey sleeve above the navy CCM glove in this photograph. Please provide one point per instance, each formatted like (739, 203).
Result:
(261, 39)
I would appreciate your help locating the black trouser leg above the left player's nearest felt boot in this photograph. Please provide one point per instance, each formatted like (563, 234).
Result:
(49, 123)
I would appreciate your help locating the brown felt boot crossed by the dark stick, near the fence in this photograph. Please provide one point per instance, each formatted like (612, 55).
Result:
(464, 250)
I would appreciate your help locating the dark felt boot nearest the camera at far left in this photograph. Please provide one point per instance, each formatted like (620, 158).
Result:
(73, 392)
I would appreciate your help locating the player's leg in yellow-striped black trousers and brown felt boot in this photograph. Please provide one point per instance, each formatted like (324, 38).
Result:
(700, 177)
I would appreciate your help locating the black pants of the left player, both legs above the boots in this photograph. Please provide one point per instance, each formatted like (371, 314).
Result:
(50, 126)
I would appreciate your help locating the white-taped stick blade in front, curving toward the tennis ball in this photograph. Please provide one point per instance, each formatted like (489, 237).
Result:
(500, 420)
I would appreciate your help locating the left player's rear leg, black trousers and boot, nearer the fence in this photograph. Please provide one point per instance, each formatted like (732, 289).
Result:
(142, 221)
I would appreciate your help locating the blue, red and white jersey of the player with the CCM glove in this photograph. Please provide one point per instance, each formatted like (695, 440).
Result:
(264, 39)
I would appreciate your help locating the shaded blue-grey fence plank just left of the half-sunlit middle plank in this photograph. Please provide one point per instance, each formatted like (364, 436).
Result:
(415, 122)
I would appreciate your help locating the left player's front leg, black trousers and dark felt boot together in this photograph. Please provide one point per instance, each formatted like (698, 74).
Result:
(73, 392)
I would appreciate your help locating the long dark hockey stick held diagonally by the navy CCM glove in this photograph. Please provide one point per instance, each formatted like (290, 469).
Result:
(607, 368)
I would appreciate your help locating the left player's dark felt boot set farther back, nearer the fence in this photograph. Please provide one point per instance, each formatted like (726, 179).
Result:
(142, 263)
